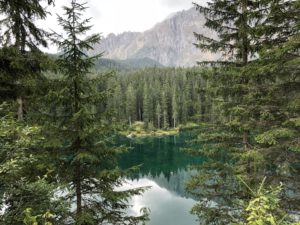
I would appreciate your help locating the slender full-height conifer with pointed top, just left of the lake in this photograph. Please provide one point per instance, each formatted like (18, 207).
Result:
(86, 158)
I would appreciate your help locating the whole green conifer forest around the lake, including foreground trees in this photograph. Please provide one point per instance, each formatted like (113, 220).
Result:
(60, 117)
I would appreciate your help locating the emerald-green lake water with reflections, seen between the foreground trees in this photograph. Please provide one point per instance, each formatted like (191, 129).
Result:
(164, 167)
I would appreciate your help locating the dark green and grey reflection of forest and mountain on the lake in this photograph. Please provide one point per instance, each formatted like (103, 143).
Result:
(161, 160)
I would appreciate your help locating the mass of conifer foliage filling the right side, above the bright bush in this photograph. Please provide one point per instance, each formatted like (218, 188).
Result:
(254, 90)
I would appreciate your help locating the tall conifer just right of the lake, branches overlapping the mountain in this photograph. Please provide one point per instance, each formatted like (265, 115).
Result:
(244, 29)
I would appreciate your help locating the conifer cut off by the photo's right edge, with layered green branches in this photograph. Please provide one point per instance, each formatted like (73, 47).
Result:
(278, 102)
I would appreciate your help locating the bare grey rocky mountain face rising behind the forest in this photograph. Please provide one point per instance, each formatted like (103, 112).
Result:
(170, 42)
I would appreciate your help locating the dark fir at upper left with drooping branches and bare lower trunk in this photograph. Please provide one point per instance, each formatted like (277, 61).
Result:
(20, 56)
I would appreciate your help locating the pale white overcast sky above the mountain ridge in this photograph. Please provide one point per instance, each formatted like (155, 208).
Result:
(117, 16)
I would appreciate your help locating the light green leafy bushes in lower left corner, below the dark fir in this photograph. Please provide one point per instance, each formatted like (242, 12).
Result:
(24, 172)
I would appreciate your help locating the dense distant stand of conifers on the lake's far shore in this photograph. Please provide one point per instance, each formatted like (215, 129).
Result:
(160, 97)
